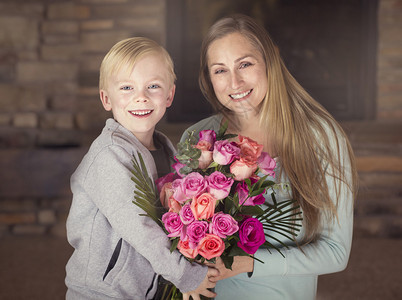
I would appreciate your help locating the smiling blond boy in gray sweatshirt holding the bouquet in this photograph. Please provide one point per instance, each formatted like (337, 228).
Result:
(118, 253)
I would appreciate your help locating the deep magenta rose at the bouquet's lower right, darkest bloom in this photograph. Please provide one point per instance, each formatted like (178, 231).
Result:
(251, 234)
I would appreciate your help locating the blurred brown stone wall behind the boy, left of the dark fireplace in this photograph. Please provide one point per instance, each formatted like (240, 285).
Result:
(50, 53)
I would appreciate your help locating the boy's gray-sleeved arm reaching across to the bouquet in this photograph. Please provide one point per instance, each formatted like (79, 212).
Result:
(111, 188)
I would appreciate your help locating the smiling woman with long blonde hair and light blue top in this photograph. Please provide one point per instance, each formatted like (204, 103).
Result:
(243, 76)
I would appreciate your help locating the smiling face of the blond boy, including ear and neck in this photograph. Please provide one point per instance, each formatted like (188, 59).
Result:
(139, 97)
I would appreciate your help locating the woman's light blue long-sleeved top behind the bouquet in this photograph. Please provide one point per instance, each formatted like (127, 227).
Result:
(295, 276)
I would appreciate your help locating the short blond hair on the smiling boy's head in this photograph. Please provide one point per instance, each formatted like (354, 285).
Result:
(126, 53)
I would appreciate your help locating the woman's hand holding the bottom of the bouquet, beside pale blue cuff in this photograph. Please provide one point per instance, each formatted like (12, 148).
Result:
(241, 264)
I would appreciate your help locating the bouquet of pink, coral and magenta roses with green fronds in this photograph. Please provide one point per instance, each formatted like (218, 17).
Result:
(216, 199)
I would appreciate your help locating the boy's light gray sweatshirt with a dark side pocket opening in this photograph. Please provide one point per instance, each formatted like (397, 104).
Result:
(118, 254)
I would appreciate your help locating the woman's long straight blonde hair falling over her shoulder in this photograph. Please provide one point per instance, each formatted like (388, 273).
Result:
(300, 129)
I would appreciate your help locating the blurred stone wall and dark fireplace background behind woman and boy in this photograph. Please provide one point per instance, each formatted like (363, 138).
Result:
(346, 53)
